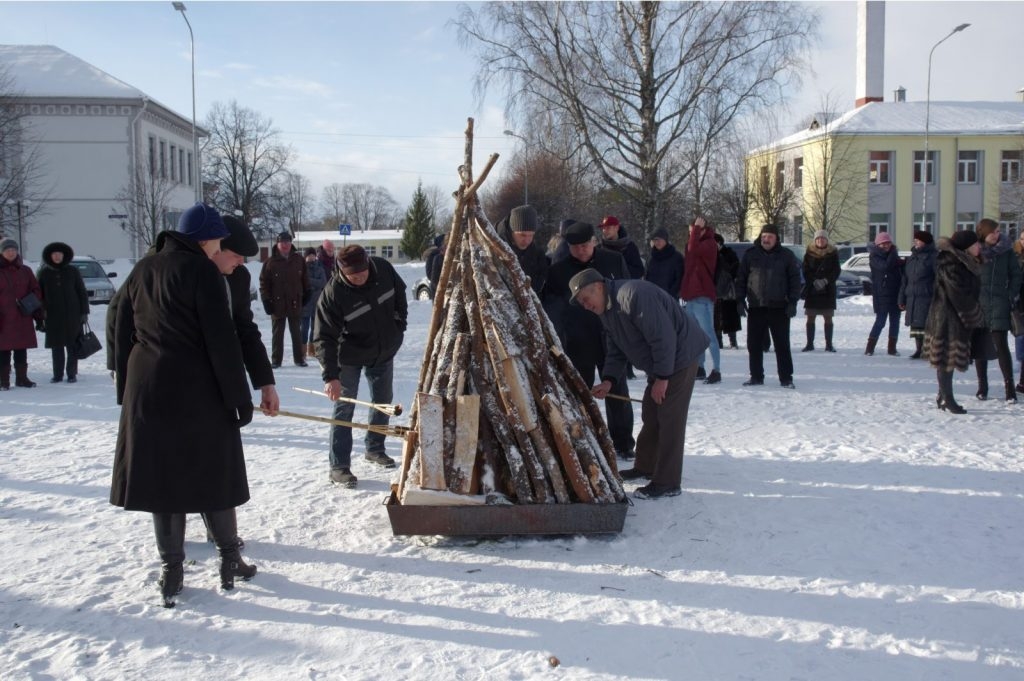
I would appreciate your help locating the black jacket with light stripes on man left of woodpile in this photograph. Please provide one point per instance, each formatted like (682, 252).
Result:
(361, 326)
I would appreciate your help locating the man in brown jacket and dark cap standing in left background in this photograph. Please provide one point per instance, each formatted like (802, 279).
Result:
(284, 288)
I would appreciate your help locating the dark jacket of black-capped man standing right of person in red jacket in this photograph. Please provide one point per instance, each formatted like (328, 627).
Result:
(770, 279)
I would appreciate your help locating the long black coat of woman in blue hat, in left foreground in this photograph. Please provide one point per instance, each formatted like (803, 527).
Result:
(182, 386)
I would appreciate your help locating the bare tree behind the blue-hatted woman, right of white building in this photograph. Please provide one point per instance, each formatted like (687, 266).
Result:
(243, 158)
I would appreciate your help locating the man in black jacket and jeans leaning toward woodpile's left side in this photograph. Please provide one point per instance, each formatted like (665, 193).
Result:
(360, 326)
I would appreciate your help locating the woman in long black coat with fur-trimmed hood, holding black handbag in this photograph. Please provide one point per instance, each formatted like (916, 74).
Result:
(67, 306)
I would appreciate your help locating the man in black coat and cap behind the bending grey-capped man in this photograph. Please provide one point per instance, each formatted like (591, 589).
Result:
(581, 332)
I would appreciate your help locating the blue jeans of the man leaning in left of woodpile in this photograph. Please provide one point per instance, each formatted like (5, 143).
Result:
(380, 380)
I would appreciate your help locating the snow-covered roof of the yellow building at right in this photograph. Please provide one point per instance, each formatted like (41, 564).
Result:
(908, 118)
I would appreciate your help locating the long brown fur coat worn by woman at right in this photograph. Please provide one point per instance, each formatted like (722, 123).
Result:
(955, 312)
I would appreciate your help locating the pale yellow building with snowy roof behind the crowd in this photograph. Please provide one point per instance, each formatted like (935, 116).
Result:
(865, 173)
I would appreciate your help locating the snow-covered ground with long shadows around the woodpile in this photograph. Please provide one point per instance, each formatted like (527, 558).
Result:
(847, 530)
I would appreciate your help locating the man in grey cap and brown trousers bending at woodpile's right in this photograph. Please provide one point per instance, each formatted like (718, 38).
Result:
(647, 326)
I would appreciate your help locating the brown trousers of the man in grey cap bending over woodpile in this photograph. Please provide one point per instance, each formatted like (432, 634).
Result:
(663, 437)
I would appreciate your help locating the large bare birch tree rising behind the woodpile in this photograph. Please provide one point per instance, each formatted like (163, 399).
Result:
(637, 79)
